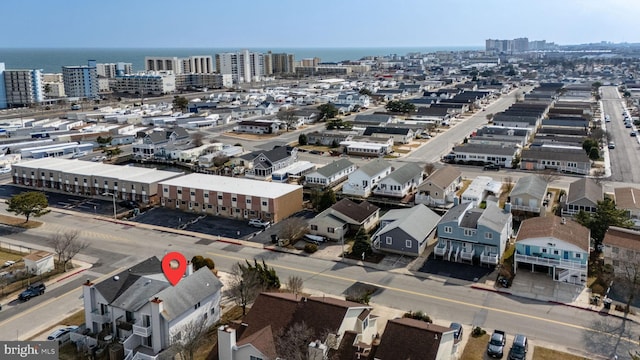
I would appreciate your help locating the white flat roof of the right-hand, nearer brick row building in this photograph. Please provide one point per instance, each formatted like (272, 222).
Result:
(232, 185)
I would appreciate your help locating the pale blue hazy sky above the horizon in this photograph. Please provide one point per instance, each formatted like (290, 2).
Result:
(308, 24)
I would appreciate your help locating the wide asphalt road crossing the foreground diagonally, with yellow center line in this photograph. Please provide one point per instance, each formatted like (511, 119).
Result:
(122, 245)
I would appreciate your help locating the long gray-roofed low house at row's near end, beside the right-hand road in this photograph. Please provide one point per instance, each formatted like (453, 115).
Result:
(560, 159)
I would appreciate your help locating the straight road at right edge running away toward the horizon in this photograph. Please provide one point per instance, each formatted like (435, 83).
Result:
(624, 157)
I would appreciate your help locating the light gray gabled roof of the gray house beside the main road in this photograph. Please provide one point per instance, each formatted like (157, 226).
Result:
(417, 221)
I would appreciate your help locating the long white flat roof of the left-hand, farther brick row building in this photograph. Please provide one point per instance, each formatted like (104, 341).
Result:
(90, 168)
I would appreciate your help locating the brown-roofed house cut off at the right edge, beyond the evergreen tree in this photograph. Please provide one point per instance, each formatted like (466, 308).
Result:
(621, 249)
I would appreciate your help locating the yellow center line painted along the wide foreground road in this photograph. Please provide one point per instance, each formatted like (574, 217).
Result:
(439, 298)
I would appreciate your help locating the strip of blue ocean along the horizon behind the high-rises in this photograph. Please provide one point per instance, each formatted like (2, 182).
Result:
(52, 60)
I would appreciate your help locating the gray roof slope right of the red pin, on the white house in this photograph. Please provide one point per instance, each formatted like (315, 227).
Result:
(188, 292)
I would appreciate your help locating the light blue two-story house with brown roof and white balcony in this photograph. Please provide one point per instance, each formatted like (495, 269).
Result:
(555, 246)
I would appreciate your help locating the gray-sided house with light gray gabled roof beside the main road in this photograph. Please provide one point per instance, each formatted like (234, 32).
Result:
(405, 231)
